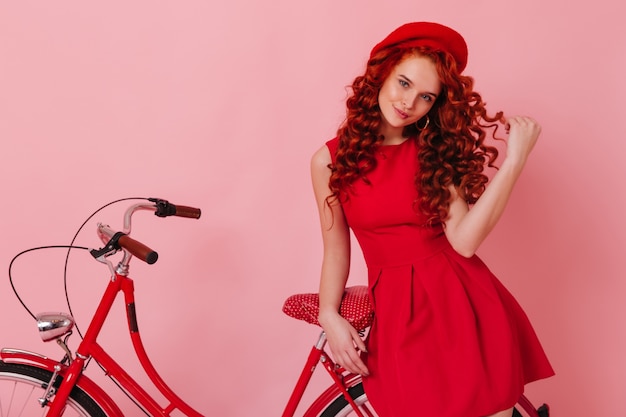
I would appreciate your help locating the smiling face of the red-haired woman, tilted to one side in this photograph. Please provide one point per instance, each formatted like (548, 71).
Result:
(408, 93)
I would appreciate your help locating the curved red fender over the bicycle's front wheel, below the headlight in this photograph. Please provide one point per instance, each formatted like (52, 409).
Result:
(25, 357)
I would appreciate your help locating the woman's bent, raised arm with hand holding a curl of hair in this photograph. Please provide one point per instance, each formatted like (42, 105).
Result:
(466, 229)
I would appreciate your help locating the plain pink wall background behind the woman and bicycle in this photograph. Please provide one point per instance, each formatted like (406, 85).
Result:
(221, 104)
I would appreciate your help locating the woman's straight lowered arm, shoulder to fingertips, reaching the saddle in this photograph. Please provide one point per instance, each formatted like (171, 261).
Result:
(343, 339)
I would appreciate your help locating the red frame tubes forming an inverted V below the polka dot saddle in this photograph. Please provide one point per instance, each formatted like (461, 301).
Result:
(319, 355)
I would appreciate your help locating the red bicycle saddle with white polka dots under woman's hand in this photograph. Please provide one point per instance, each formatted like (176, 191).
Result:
(355, 307)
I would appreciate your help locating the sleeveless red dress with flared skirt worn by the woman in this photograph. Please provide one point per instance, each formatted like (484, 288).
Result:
(448, 339)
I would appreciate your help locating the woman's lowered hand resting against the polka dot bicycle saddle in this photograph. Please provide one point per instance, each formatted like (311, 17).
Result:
(344, 342)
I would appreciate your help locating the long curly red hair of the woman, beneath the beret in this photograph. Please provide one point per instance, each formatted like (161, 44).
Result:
(451, 149)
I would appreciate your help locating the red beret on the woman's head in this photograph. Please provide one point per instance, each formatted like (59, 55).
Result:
(434, 35)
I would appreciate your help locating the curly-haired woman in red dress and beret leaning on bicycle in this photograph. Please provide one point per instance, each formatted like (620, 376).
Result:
(405, 168)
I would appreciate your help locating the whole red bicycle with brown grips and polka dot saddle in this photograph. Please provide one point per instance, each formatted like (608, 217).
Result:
(32, 384)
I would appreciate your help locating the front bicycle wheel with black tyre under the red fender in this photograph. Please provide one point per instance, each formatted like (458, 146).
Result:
(22, 385)
